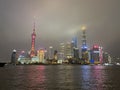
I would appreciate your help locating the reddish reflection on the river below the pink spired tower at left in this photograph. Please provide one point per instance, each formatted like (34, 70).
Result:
(36, 78)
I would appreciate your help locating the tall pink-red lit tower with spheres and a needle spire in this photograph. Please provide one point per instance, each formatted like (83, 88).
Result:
(32, 52)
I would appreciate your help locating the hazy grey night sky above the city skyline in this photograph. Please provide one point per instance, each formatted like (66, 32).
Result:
(58, 21)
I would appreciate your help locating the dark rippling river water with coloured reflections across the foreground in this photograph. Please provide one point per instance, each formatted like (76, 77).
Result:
(60, 77)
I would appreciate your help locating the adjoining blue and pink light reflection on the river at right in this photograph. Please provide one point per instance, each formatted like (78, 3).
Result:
(92, 77)
